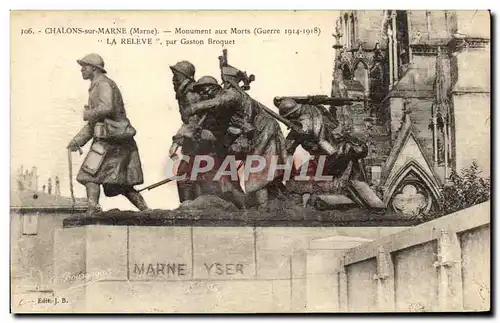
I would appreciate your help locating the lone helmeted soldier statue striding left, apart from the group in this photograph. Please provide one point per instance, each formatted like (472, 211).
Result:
(113, 160)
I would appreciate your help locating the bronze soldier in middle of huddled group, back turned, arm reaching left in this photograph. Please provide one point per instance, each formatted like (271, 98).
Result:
(249, 130)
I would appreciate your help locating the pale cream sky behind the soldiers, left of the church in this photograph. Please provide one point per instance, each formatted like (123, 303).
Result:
(48, 93)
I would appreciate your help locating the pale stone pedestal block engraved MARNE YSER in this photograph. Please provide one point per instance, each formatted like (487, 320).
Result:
(107, 268)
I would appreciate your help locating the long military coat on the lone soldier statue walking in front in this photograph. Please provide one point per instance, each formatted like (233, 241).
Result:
(114, 162)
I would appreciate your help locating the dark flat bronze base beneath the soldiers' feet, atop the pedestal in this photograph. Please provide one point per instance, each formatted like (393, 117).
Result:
(353, 217)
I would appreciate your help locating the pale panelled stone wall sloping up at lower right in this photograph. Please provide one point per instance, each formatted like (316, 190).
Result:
(441, 265)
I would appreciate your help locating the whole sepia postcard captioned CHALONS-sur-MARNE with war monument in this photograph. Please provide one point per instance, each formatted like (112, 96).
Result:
(250, 161)
